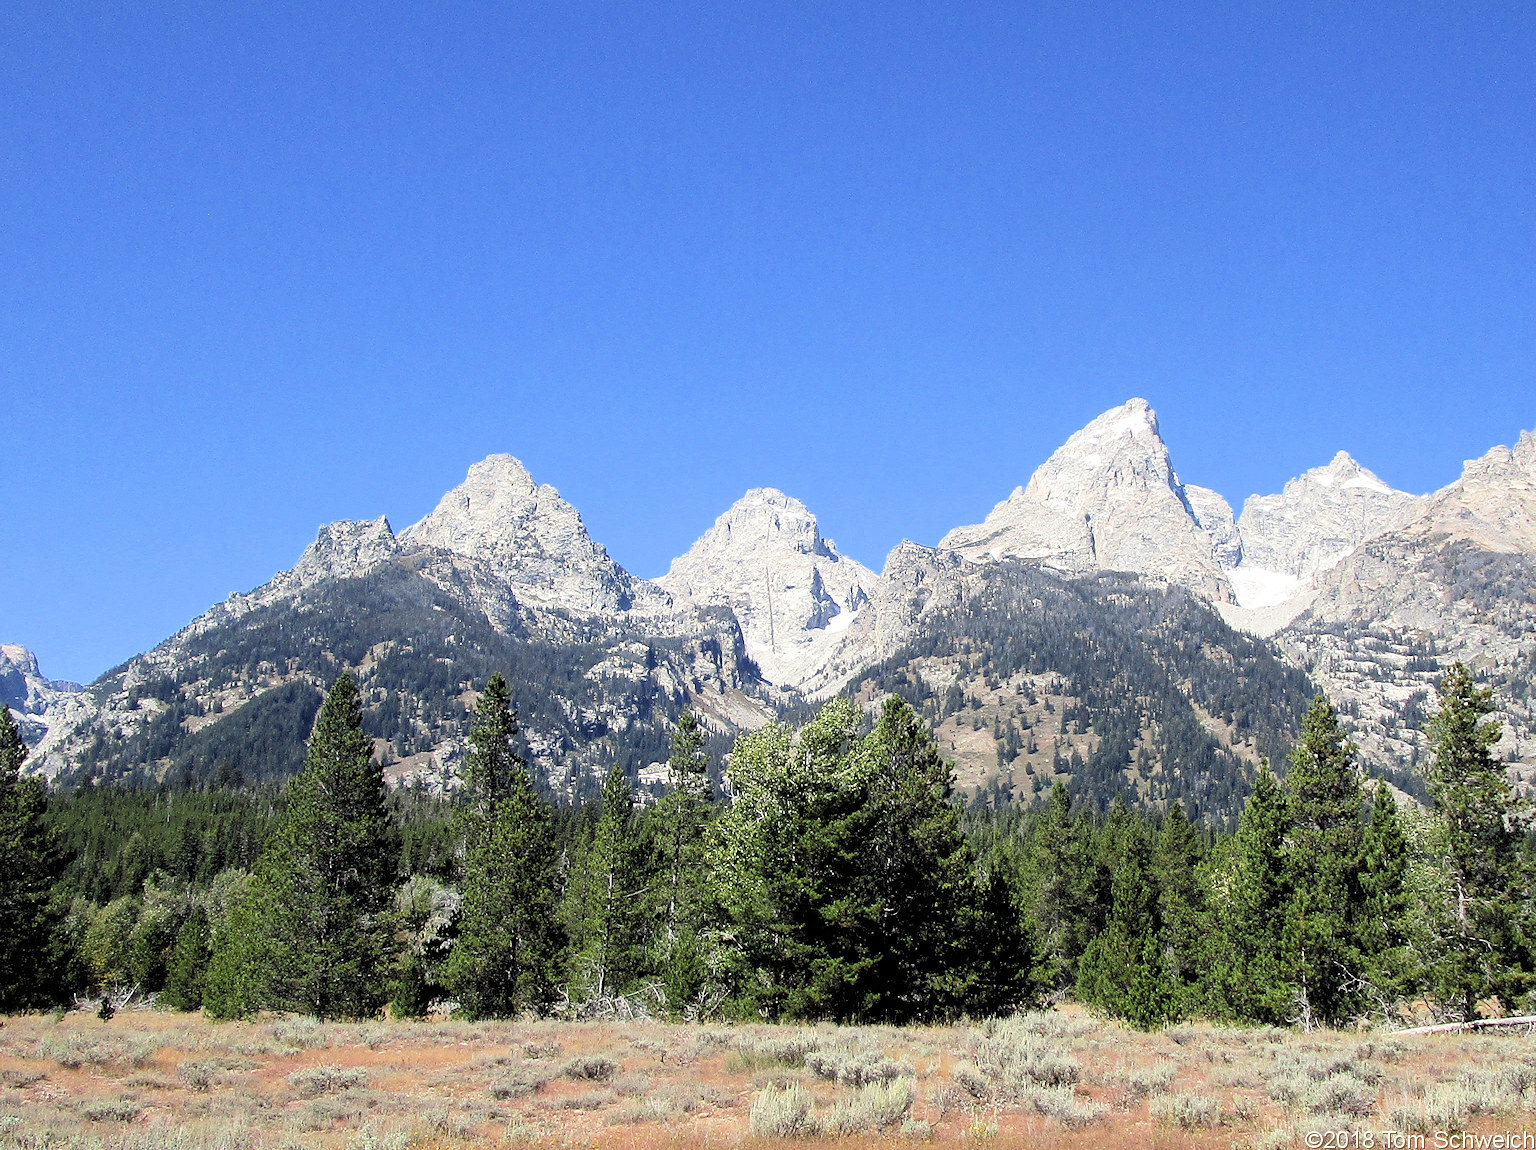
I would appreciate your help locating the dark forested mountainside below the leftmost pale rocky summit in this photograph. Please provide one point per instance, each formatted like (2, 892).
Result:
(239, 698)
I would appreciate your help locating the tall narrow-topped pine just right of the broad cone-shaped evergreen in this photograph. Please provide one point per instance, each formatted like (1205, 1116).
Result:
(509, 947)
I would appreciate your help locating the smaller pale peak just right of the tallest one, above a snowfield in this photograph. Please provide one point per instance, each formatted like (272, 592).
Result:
(1319, 518)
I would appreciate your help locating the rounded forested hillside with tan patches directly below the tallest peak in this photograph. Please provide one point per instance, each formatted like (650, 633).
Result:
(1119, 687)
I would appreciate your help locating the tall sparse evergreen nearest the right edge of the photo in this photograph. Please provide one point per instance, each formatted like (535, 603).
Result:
(1486, 951)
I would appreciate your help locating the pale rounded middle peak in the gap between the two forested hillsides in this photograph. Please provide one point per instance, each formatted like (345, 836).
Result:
(792, 592)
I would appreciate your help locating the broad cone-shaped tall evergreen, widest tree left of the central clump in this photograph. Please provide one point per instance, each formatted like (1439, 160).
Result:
(313, 933)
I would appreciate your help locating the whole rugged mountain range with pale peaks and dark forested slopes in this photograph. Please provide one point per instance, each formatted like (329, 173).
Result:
(1105, 624)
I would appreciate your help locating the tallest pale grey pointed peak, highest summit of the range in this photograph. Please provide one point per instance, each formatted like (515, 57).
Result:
(1110, 500)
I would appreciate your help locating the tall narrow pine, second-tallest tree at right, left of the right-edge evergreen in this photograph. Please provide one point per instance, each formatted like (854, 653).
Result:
(1323, 856)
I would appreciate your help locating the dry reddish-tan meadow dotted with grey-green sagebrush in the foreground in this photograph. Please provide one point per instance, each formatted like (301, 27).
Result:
(150, 1080)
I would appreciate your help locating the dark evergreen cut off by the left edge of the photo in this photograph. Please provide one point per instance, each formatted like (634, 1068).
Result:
(30, 865)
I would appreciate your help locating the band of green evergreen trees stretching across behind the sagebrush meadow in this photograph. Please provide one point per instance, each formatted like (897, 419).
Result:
(841, 882)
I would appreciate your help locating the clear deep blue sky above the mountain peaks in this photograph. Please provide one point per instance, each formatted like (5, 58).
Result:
(265, 266)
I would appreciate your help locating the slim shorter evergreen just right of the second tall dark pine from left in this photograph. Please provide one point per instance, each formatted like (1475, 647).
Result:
(604, 896)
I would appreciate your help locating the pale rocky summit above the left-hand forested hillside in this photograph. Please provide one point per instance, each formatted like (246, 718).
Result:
(528, 537)
